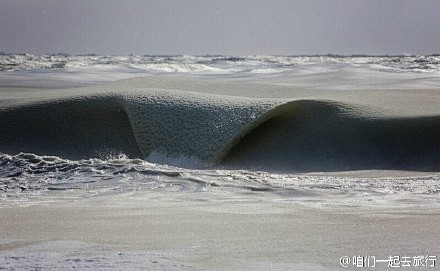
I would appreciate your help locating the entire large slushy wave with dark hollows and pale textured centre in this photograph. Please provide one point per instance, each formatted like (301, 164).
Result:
(218, 130)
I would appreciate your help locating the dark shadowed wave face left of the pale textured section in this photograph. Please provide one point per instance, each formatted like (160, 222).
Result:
(77, 129)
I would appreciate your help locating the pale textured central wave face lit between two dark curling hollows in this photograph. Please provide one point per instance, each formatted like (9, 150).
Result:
(189, 124)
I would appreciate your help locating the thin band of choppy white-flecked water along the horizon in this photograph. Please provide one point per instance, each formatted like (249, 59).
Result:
(215, 64)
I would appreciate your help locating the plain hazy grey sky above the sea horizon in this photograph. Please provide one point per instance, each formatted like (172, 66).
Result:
(233, 27)
